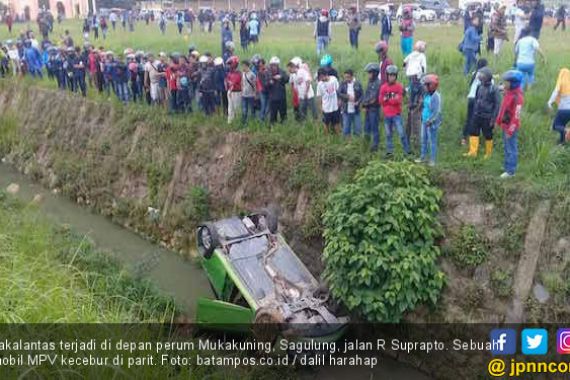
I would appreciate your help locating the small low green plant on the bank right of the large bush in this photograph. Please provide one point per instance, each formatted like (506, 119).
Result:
(468, 247)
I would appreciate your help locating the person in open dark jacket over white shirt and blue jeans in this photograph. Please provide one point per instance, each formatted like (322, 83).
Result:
(350, 93)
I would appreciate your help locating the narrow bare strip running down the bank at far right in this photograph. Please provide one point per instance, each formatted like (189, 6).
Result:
(527, 263)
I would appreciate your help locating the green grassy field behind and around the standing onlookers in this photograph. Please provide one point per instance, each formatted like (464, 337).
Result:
(541, 161)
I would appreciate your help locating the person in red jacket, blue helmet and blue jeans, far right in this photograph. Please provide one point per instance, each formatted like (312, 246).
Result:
(509, 119)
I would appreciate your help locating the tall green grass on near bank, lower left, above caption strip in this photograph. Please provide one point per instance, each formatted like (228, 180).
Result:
(51, 275)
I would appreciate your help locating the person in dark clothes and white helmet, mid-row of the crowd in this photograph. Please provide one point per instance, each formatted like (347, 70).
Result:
(276, 85)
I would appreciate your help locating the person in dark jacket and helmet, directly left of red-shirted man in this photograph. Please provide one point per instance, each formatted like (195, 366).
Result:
(371, 105)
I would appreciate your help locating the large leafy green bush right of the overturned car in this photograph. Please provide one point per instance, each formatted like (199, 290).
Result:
(380, 230)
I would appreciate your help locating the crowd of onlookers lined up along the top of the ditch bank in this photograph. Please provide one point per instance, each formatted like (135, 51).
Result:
(256, 88)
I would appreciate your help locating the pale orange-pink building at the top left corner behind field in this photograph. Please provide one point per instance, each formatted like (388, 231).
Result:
(29, 9)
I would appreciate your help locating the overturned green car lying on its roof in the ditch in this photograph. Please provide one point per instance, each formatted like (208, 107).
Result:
(258, 279)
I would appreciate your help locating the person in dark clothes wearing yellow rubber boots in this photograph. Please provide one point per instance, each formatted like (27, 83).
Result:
(485, 110)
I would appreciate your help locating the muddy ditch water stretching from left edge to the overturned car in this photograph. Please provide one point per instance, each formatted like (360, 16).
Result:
(171, 274)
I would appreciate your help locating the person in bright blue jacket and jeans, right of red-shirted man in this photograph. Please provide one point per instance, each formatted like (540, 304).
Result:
(431, 119)
